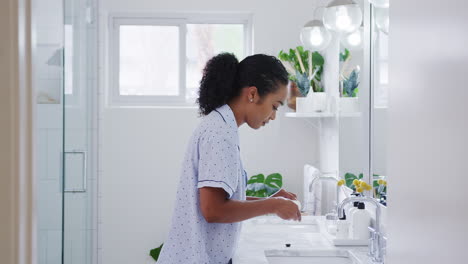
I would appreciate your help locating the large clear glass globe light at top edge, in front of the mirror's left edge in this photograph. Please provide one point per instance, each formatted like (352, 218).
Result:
(342, 16)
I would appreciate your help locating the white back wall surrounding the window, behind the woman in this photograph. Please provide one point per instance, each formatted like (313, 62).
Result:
(142, 148)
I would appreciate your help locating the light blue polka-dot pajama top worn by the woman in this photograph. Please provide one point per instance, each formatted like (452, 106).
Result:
(212, 159)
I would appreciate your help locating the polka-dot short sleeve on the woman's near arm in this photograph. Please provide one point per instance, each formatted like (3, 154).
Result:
(218, 163)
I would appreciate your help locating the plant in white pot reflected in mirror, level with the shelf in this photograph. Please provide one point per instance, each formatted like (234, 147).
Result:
(349, 85)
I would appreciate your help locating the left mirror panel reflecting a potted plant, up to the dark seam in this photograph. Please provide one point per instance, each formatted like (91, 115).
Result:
(353, 97)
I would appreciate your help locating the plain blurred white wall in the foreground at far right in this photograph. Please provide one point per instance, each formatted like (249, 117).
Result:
(428, 131)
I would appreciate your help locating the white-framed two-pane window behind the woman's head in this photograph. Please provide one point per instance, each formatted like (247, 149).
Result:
(158, 60)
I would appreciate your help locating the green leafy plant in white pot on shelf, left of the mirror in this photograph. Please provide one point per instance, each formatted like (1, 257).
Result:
(305, 70)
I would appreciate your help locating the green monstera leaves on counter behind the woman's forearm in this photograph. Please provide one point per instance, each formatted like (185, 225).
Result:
(259, 186)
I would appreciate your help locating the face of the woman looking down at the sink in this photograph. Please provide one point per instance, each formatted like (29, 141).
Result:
(262, 110)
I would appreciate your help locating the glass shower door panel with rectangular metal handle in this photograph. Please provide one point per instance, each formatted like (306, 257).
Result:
(79, 229)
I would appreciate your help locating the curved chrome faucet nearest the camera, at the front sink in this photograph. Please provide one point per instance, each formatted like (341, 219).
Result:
(377, 245)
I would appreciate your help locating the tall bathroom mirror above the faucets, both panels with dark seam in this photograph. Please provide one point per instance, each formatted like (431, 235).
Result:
(363, 102)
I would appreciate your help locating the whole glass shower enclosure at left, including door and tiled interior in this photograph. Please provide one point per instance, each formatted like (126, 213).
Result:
(65, 78)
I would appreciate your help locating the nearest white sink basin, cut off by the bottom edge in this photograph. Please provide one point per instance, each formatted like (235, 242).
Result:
(309, 257)
